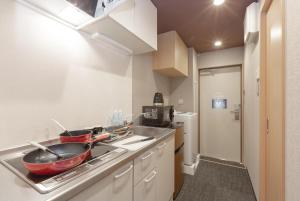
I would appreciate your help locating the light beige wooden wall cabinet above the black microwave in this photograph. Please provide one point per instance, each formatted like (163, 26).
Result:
(171, 59)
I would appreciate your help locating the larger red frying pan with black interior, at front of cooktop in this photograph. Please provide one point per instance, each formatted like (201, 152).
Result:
(42, 162)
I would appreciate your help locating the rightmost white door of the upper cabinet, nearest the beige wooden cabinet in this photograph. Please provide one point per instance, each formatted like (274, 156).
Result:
(145, 21)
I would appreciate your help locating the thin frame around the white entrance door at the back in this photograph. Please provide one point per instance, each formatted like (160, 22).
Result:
(242, 106)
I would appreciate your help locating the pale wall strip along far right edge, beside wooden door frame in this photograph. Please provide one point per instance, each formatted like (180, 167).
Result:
(292, 110)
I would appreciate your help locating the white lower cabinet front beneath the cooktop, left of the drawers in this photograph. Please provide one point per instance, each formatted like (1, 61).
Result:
(115, 187)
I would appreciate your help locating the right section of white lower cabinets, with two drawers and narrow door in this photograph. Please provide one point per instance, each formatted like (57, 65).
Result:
(158, 185)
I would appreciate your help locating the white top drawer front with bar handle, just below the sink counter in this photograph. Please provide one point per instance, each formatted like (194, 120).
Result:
(143, 165)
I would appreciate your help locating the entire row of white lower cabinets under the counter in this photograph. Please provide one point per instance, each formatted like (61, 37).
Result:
(152, 171)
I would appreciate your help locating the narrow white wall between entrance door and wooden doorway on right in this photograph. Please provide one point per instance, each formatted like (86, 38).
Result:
(251, 113)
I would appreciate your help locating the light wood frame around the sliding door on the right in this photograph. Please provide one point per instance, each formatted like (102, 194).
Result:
(265, 5)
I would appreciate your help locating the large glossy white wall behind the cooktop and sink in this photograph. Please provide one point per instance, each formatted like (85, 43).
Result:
(49, 70)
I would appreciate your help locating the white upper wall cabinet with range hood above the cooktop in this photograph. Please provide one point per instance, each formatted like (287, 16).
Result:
(131, 24)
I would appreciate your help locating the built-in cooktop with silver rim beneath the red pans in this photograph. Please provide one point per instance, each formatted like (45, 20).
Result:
(100, 154)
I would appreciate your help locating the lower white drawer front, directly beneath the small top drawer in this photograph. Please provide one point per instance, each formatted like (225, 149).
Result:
(146, 189)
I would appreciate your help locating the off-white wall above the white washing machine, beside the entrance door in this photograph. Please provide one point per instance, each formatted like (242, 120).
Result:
(186, 88)
